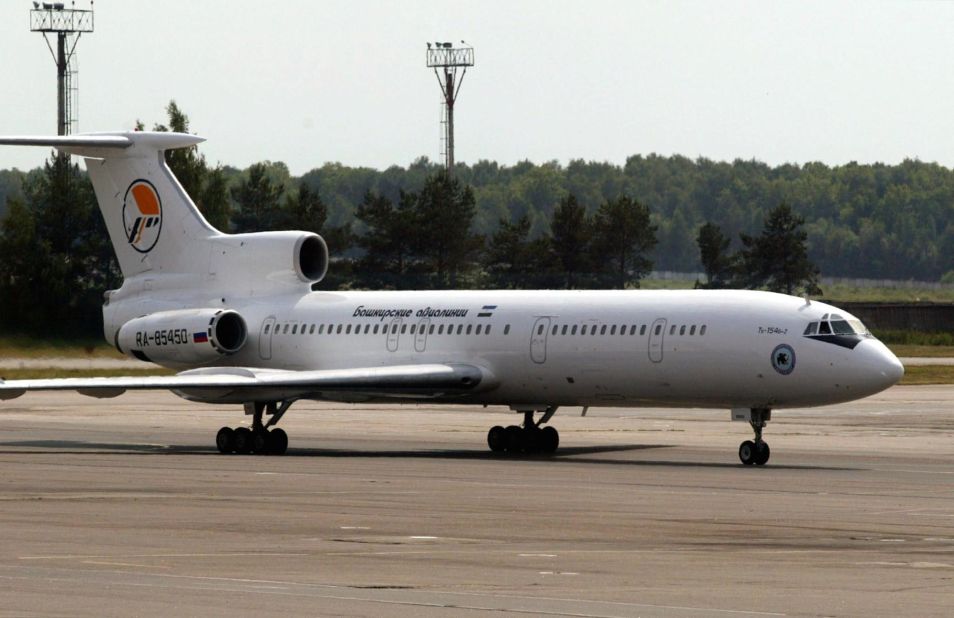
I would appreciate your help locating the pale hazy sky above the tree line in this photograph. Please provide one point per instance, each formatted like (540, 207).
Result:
(314, 82)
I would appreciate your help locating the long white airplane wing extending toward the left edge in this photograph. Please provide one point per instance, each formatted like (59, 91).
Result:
(245, 384)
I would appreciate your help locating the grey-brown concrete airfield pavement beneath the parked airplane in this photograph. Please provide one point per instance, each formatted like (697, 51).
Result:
(121, 507)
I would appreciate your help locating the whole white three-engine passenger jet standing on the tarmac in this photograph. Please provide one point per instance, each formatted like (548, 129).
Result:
(237, 315)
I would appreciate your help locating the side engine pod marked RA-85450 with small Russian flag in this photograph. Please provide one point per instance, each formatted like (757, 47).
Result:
(183, 337)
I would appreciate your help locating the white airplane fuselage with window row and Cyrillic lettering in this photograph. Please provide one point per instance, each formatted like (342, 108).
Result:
(590, 348)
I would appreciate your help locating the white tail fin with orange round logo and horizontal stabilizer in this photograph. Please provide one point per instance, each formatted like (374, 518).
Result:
(152, 222)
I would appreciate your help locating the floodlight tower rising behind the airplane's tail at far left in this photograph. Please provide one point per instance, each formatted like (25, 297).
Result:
(68, 24)
